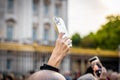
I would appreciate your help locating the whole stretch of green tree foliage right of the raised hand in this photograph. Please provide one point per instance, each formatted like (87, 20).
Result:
(107, 37)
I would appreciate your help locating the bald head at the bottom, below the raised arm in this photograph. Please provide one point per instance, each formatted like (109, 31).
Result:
(46, 75)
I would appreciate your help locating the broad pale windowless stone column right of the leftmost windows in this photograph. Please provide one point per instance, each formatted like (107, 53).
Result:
(27, 22)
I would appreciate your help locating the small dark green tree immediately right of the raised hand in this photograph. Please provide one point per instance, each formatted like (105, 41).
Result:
(76, 39)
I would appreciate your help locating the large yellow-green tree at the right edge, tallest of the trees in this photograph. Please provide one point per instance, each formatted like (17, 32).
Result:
(108, 36)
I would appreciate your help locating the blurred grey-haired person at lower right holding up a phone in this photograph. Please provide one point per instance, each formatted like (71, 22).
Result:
(96, 71)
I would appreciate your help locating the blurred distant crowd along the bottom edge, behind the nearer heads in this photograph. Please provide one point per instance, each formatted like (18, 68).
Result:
(111, 75)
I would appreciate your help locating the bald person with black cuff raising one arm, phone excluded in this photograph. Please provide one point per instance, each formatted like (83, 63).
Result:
(50, 70)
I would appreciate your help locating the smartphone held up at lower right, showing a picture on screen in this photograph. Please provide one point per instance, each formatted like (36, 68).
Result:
(95, 61)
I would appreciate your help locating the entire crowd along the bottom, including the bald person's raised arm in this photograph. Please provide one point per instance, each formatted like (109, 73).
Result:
(50, 70)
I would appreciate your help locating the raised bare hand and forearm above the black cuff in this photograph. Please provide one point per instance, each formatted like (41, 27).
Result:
(61, 49)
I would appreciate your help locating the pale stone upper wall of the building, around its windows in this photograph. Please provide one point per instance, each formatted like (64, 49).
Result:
(23, 18)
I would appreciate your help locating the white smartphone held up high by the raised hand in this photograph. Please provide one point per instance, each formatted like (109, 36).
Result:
(60, 26)
